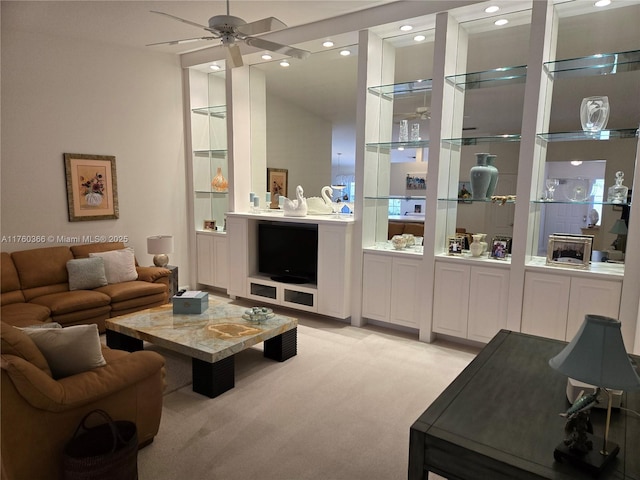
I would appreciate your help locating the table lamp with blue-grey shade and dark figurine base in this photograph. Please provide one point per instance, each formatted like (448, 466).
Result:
(597, 356)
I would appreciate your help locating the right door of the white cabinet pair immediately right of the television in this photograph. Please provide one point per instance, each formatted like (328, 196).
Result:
(405, 293)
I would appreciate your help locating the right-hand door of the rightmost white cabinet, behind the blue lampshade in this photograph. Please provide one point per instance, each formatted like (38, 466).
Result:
(598, 297)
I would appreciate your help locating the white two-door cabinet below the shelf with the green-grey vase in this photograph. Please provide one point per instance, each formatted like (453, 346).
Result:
(470, 301)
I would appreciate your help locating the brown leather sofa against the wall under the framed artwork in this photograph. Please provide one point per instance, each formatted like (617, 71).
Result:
(35, 288)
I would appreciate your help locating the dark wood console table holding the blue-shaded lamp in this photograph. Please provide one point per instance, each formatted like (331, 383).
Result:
(499, 420)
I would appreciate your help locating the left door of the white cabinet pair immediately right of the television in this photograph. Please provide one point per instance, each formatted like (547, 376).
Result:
(376, 287)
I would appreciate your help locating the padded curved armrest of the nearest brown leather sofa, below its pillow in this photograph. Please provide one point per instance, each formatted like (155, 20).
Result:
(45, 393)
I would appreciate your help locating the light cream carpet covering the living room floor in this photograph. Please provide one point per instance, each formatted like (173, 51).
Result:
(340, 409)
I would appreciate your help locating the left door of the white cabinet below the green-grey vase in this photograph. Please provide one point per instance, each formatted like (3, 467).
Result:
(451, 299)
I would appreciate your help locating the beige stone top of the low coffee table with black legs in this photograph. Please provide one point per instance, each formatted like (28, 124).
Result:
(217, 333)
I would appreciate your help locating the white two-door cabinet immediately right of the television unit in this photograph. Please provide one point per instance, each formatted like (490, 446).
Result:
(391, 289)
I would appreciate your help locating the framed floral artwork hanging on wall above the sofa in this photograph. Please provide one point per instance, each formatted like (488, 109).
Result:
(92, 192)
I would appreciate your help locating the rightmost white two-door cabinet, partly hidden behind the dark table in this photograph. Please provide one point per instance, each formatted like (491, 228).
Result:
(555, 305)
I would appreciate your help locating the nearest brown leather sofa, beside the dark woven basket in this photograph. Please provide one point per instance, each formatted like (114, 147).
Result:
(40, 414)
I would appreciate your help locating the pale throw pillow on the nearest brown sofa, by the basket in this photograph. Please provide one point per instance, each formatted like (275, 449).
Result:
(69, 350)
